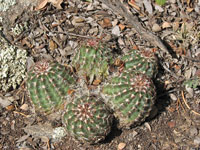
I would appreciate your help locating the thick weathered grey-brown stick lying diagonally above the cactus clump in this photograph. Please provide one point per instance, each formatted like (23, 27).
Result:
(122, 9)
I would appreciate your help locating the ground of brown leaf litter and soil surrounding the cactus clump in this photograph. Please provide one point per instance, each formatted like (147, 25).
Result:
(54, 30)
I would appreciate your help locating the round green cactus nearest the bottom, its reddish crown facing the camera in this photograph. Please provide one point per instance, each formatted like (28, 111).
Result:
(87, 119)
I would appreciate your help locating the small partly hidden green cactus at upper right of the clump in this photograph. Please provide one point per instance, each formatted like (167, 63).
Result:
(141, 61)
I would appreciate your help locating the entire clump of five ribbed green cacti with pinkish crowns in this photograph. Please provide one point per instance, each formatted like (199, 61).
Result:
(128, 94)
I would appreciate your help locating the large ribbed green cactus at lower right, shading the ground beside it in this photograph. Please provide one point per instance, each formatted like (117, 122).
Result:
(131, 96)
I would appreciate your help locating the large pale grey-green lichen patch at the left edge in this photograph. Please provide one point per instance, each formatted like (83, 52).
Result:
(13, 65)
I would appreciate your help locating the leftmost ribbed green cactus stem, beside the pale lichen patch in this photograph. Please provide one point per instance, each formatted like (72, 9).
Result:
(48, 84)
